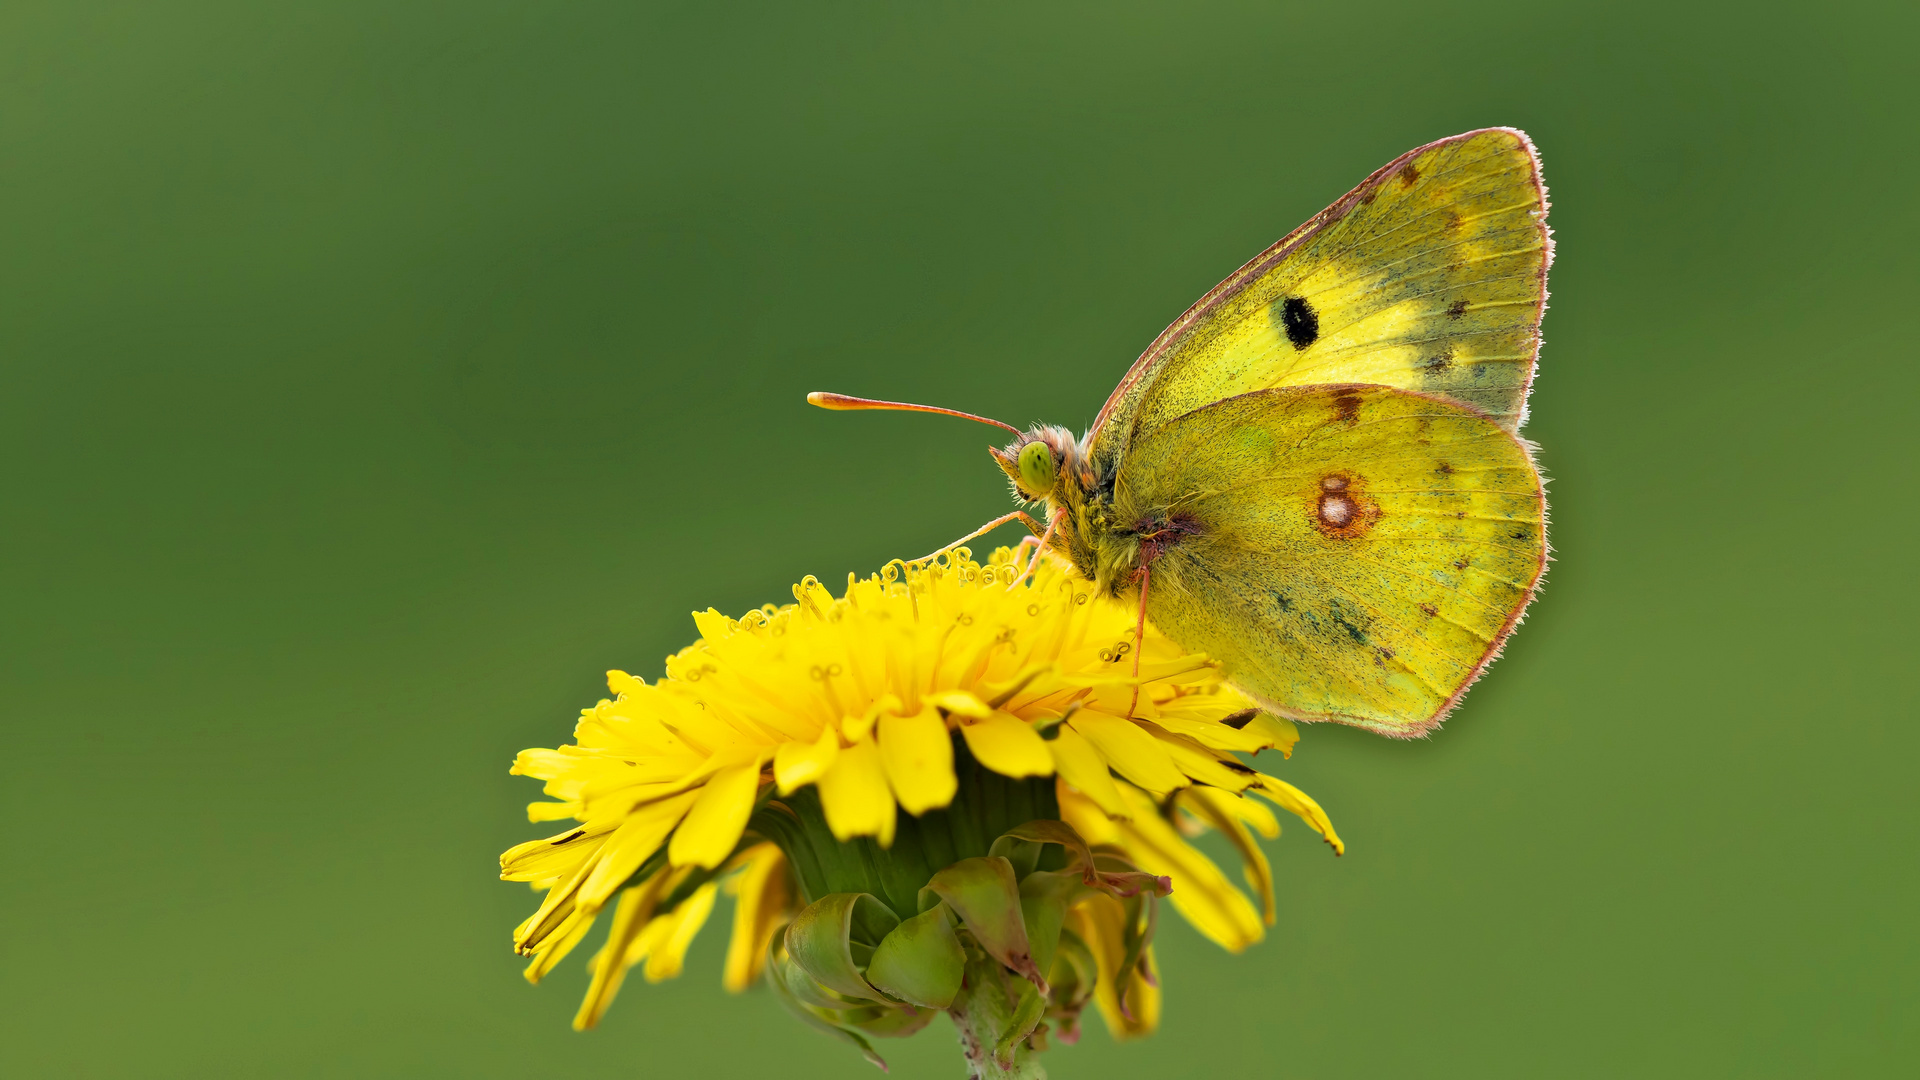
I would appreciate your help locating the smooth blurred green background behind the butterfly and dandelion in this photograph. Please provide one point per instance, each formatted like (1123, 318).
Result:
(375, 376)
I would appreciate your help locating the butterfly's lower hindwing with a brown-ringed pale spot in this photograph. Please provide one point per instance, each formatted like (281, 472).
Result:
(1349, 552)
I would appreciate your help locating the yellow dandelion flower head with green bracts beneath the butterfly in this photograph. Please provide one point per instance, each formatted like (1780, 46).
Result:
(944, 791)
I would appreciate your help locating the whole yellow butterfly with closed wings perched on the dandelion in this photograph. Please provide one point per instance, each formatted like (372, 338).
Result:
(1314, 474)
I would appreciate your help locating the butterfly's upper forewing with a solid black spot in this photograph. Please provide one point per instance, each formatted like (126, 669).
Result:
(1429, 276)
